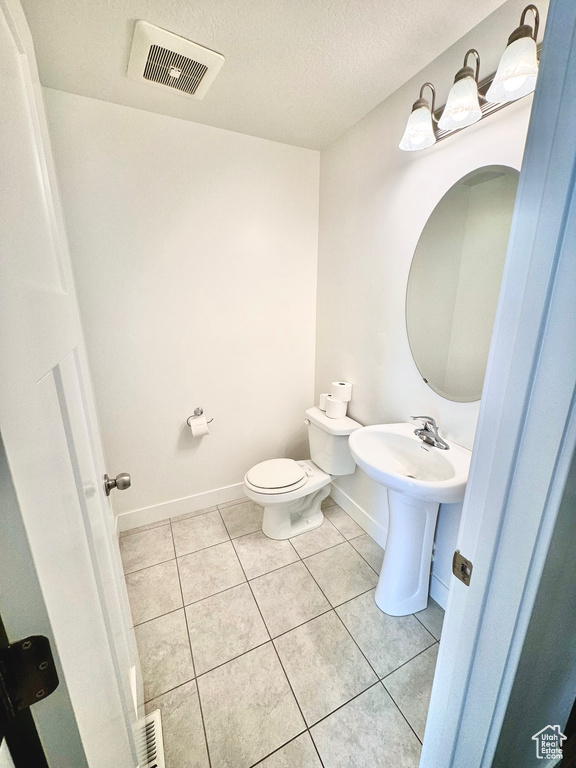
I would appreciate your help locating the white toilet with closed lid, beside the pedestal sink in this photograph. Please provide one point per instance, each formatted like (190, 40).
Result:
(292, 492)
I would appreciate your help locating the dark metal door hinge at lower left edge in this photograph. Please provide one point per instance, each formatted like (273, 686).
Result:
(27, 674)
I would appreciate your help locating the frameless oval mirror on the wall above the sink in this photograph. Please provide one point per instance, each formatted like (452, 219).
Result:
(454, 281)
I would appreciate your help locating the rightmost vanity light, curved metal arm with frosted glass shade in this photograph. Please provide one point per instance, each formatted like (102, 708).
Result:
(518, 69)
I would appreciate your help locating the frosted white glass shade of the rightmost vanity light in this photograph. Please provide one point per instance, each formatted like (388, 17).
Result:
(517, 72)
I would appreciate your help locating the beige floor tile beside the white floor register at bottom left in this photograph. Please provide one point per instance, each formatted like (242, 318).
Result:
(182, 729)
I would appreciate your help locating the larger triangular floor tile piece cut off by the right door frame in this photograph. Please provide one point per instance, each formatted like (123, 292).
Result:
(411, 687)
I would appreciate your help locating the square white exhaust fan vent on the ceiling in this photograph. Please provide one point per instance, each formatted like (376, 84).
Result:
(165, 59)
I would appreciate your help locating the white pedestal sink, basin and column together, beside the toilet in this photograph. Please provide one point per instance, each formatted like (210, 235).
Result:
(419, 478)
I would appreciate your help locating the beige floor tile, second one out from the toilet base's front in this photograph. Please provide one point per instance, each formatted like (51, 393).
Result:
(288, 597)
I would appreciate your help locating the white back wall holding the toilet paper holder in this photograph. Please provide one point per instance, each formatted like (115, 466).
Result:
(195, 257)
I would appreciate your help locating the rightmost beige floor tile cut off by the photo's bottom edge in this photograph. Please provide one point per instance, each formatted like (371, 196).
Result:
(369, 732)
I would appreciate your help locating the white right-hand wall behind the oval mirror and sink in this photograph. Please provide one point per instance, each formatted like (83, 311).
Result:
(374, 202)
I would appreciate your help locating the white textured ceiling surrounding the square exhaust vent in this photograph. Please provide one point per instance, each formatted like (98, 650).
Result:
(297, 71)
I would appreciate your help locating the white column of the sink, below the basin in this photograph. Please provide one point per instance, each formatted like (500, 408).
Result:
(405, 576)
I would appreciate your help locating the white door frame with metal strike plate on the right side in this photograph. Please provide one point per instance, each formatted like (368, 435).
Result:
(526, 431)
